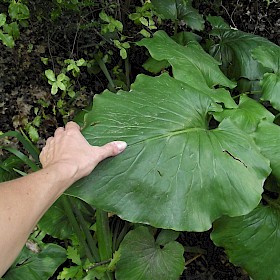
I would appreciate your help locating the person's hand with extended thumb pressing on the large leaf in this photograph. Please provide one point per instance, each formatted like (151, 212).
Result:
(69, 151)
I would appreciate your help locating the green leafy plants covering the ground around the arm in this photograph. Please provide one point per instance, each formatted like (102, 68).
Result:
(202, 127)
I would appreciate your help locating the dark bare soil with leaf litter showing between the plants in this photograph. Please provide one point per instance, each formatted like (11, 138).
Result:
(22, 85)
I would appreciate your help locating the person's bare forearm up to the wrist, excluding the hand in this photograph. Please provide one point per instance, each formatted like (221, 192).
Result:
(22, 204)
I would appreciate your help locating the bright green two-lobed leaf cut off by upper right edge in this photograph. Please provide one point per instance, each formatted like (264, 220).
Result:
(270, 58)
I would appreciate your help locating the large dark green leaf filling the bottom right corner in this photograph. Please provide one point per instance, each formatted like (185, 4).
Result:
(252, 241)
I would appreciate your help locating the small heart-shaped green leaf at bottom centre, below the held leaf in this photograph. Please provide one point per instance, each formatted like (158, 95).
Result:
(143, 258)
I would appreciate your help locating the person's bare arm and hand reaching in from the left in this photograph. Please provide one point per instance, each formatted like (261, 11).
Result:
(66, 158)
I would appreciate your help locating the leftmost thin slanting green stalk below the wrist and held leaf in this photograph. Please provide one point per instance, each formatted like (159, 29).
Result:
(69, 213)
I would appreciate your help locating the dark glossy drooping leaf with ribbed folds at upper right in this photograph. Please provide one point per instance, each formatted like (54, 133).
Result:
(234, 51)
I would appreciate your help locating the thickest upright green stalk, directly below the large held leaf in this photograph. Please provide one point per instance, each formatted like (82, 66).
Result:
(104, 238)
